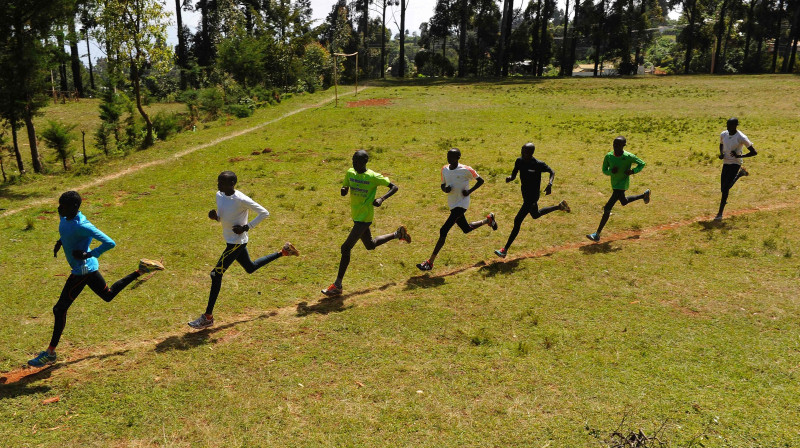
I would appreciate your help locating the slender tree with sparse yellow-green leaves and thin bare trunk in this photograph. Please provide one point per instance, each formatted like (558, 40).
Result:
(138, 30)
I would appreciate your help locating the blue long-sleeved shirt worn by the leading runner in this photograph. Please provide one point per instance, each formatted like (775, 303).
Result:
(77, 233)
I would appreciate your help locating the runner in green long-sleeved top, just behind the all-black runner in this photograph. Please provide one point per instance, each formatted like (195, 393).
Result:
(617, 164)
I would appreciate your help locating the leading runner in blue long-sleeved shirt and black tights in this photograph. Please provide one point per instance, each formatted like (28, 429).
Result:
(76, 234)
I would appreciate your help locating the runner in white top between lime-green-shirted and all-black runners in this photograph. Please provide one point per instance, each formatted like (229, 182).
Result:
(455, 182)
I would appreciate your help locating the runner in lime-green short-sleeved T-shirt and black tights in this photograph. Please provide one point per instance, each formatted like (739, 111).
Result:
(363, 185)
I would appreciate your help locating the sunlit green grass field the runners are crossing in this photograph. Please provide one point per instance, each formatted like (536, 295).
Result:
(674, 326)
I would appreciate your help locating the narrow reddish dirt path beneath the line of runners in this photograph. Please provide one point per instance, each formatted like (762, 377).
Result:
(180, 338)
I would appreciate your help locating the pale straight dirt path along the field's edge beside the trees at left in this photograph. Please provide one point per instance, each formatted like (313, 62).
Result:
(172, 157)
